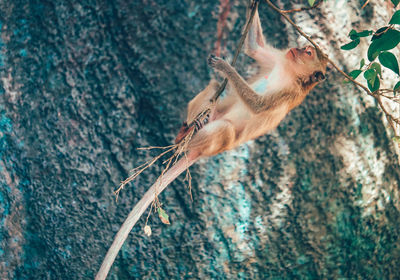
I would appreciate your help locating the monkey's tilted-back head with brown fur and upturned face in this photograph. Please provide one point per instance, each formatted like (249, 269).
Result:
(308, 64)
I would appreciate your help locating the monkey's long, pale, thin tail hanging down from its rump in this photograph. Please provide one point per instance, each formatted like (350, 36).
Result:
(137, 212)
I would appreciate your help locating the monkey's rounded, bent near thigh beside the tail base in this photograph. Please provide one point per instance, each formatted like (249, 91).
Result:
(213, 138)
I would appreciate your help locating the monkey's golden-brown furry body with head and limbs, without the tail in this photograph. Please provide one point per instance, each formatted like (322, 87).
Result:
(245, 114)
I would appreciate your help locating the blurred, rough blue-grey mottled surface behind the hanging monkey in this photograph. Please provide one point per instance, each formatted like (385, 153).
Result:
(86, 83)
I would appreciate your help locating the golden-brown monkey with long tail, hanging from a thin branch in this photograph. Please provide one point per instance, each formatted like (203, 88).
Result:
(250, 109)
